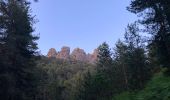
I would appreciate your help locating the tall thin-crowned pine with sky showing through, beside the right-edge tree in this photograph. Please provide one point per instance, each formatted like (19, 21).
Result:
(137, 61)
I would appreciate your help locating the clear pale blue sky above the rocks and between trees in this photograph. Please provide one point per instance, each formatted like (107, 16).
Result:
(80, 23)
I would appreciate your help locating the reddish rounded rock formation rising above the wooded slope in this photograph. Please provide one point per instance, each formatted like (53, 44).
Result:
(77, 54)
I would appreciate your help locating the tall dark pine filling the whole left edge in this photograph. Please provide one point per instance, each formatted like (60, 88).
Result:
(17, 51)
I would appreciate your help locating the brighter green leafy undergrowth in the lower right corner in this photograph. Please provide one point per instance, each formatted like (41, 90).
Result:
(157, 89)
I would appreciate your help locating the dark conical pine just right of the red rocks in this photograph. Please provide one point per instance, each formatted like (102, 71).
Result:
(105, 72)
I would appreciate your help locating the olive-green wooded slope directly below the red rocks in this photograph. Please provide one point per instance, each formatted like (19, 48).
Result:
(61, 79)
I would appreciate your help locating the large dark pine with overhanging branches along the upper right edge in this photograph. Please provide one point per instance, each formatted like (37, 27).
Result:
(156, 19)
